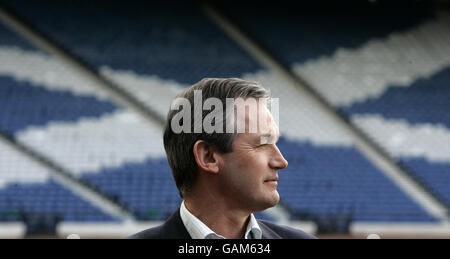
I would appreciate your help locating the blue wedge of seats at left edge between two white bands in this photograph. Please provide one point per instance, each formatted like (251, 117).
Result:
(25, 105)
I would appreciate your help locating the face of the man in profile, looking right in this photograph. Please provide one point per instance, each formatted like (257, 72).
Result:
(249, 173)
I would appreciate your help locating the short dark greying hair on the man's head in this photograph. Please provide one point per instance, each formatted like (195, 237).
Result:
(179, 146)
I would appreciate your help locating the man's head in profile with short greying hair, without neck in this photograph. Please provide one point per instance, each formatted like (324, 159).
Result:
(241, 165)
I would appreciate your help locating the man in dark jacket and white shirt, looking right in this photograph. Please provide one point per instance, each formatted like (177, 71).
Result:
(222, 176)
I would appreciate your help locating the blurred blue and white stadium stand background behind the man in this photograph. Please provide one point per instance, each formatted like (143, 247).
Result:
(364, 90)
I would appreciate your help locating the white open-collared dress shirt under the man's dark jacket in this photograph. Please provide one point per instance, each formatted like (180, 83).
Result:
(198, 230)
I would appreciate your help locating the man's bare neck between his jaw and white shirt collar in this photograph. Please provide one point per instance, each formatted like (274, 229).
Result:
(219, 217)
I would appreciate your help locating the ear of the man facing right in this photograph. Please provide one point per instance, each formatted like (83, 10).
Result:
(206, 157)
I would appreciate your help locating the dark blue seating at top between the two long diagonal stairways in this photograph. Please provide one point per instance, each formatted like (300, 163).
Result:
(144, 37)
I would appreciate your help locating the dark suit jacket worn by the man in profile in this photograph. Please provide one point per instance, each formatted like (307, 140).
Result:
(174, 228)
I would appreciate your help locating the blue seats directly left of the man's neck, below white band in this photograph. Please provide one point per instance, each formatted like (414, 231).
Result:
(147, 188)
